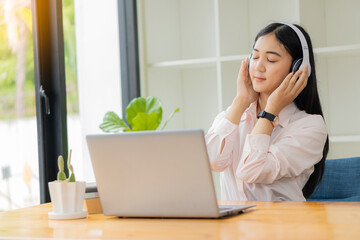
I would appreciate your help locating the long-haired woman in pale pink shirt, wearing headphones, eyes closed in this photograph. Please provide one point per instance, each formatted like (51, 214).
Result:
(271, 143)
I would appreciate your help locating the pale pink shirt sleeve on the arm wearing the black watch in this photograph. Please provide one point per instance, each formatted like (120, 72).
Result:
(298, 150)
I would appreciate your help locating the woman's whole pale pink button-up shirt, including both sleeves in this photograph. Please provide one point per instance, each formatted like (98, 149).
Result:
(261, 167)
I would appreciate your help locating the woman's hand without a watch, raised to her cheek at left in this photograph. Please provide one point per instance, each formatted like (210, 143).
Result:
(245, 90)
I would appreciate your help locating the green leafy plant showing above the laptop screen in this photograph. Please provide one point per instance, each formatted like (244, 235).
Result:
(141, 114)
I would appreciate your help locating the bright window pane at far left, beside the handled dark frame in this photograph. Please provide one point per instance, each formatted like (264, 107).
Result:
(19, 176)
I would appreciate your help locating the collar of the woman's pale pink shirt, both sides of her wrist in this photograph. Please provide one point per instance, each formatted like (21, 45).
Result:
(284, 115)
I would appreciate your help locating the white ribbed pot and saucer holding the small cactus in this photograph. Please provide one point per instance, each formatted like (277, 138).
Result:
(67, 199)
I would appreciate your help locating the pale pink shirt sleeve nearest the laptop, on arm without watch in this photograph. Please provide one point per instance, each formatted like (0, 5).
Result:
(222, 129)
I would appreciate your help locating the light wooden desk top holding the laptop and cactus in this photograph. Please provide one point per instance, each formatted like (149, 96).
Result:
(268, 220)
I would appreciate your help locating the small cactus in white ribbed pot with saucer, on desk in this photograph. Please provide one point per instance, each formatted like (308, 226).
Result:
(67, 194)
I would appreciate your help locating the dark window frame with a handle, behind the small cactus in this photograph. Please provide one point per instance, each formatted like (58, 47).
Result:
(49, 69)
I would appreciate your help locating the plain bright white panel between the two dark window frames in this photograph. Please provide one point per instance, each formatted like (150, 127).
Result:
(98, 65)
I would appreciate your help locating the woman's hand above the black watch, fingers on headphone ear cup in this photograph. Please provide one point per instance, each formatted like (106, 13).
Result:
(288, 90)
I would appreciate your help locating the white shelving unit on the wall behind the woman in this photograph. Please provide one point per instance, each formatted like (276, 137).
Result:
(191, 52)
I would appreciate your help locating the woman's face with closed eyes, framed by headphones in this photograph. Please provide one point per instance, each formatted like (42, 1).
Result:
(269, 65)
